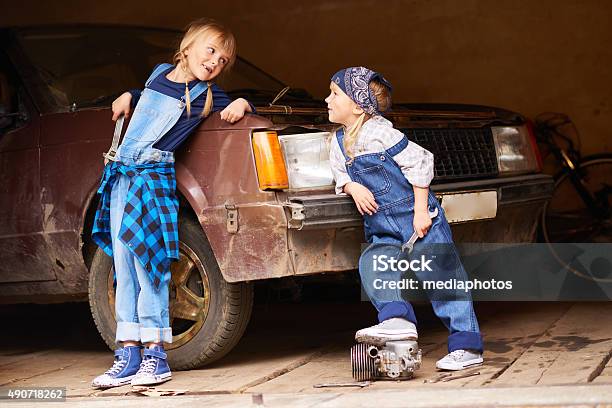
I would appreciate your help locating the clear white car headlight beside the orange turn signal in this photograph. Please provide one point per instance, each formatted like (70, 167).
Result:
(307, 159)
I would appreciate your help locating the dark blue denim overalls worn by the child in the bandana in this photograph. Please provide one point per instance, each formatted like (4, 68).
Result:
(390, 227)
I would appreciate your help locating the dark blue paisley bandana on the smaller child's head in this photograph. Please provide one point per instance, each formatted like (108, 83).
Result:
(354, 82)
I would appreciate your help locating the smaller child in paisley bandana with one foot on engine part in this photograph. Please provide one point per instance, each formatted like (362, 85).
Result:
(388, 178)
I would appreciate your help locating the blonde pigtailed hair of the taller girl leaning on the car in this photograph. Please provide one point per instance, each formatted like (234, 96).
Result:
(209, 28)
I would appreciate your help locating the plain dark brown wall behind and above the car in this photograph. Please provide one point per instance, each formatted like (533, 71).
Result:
(528, 56)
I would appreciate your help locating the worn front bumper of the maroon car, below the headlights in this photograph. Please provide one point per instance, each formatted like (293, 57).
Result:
(326, 234)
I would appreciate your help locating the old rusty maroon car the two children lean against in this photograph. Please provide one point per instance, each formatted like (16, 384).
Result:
(257, 197)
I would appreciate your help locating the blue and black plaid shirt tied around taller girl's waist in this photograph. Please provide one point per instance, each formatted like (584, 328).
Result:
(150, 222)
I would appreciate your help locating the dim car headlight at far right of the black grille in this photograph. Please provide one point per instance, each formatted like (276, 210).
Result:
(515, 150)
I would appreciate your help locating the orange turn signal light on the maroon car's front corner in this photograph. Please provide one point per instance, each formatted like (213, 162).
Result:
(271, 170)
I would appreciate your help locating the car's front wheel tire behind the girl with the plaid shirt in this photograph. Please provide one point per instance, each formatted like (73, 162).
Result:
(221, 325)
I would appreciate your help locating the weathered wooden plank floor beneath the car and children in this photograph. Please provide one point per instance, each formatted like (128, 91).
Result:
(288, 349)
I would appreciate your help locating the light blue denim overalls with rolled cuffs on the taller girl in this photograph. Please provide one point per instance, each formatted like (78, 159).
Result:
(141, 310)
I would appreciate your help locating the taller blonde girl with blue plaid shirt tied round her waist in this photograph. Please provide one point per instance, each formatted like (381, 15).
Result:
(137, 218)
